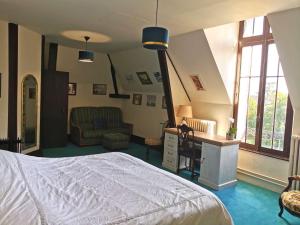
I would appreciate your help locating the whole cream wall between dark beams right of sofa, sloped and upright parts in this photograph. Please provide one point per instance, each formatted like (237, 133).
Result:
(145, 119)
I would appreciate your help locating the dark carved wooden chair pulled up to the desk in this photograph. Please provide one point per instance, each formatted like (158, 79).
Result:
(188, 148)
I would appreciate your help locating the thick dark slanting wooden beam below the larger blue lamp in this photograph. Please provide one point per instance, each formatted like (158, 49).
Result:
(162, 58)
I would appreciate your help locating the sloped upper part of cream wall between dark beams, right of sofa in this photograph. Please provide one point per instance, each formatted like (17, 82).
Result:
(128, 62)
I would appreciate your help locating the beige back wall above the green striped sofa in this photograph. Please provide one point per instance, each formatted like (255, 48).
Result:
(85, 75)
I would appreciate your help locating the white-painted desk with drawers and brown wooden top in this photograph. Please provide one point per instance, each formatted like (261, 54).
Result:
(219, 158)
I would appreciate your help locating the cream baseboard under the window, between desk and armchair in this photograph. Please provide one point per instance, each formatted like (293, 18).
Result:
(261, 180)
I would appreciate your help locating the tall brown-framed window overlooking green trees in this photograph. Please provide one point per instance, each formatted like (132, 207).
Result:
(262, 107)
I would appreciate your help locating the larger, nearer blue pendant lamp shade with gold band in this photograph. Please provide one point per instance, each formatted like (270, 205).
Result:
(155, 38)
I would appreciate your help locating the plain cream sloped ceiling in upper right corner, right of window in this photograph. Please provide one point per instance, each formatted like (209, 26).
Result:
(286, 30)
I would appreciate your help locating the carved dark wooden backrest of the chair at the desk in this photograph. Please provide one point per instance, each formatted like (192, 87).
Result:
(185, 137)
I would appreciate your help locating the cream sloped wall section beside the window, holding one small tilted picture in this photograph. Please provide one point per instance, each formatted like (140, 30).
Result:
(192, 55)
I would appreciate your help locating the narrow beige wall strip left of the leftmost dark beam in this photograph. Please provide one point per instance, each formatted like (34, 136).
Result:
(4, 78)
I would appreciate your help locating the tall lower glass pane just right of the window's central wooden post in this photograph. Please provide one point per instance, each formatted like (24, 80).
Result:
(269, 108)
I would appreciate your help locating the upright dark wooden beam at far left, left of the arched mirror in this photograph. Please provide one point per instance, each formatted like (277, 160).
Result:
(12, 80)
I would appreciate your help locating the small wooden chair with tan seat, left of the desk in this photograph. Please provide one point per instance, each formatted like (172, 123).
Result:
(156, 143)
